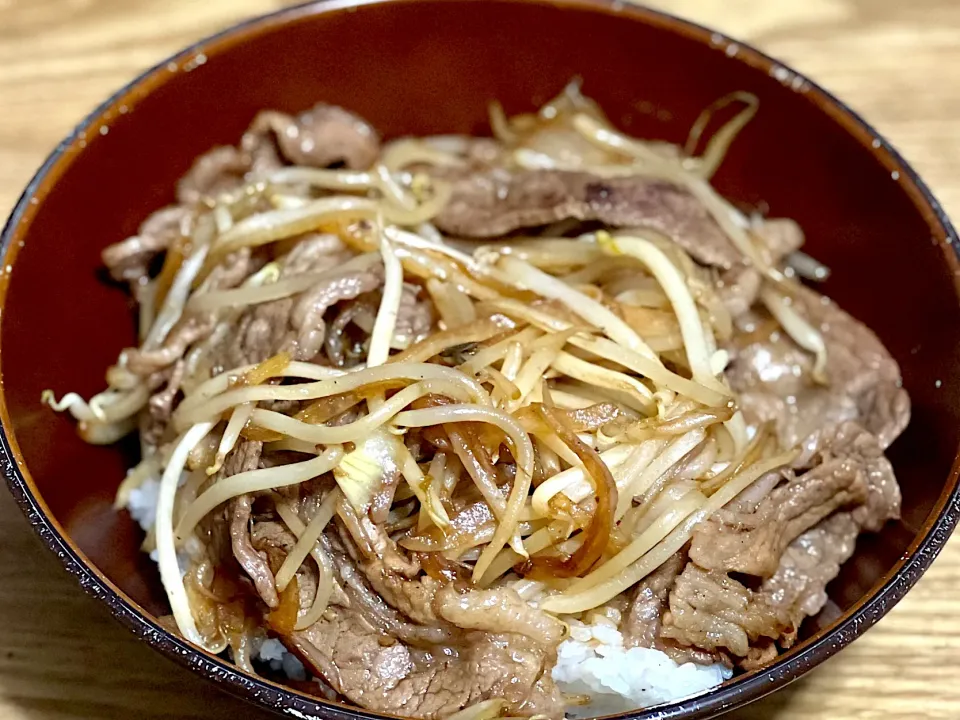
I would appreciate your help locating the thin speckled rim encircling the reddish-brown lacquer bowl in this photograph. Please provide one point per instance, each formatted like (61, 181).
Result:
(740, 691)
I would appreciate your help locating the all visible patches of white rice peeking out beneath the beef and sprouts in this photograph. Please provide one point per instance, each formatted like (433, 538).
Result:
(592, 661)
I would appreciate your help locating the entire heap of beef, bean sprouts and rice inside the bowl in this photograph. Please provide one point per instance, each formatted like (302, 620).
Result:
(460, 427)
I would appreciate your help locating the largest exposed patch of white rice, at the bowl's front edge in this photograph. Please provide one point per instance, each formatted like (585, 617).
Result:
(594, 662)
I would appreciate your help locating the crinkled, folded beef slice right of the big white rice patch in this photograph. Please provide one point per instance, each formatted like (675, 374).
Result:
(705, 603)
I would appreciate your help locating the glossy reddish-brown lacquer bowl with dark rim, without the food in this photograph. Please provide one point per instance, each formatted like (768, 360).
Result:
(431, 66)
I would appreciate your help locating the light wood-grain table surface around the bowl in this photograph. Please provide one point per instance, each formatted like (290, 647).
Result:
(62, 656)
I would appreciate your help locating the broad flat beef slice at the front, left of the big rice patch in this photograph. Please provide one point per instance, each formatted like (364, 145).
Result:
(420, 649)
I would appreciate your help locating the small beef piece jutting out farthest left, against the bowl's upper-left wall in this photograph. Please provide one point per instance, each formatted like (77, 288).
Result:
(130, 259)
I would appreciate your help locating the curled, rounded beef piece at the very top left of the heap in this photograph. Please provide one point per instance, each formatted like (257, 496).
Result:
(322, 136)
